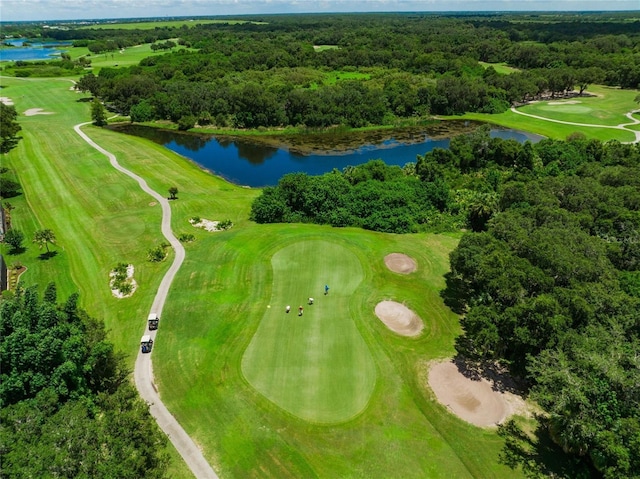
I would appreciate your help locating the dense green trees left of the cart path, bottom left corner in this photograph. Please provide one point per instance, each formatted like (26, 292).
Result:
(67, 407)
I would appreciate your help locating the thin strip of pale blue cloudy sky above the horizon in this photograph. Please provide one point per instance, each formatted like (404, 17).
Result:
(13, 10)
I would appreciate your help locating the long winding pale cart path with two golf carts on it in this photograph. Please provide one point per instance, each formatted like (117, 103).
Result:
(143, 372)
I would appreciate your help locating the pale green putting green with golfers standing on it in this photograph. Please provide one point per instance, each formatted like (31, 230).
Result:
(315, 366)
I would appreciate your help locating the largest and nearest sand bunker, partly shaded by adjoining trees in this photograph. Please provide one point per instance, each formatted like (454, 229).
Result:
(477, 400)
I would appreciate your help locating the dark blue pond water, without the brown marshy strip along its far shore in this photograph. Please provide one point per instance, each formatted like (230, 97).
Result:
(251, 163)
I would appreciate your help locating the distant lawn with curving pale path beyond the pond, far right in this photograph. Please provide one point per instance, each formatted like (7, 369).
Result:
(606, 108)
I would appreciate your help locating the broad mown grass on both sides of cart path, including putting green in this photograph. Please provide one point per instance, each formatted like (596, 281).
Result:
(367, 412)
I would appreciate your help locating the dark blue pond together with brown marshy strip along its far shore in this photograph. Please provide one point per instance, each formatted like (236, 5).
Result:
(262, 161)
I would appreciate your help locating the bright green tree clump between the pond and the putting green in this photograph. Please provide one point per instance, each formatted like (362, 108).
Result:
(373, 196)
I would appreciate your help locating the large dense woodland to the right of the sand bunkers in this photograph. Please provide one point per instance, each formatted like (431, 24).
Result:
(552, 290)
